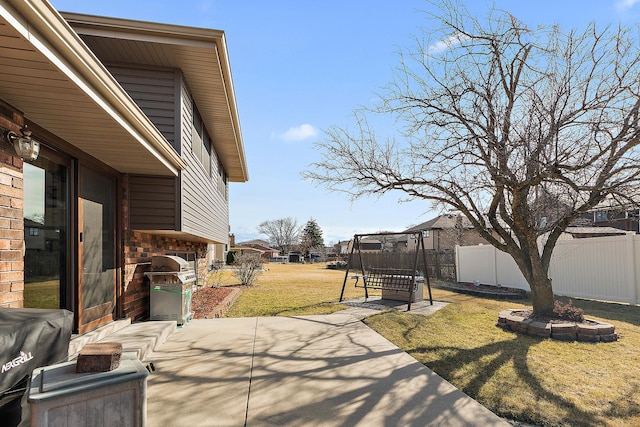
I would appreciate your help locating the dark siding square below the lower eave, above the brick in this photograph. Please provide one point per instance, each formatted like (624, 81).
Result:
(152, 203)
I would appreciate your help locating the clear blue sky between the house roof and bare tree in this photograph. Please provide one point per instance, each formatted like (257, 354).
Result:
(302, 66)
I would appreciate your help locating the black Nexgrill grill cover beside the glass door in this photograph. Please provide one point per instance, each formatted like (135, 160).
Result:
(29, 338)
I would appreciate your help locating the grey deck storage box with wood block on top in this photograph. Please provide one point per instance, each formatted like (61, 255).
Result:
(59, 396)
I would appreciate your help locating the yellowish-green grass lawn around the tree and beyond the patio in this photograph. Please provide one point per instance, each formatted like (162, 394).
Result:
(544, 382)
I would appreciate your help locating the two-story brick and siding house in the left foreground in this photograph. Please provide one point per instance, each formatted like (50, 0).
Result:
(139, 137)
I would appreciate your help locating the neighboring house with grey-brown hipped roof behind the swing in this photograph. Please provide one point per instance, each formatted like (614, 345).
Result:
(444, 232)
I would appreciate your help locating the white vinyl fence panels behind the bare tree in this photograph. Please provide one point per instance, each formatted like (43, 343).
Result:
(604, 268)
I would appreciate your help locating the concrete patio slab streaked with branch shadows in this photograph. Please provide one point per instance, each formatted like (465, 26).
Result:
(329, 370)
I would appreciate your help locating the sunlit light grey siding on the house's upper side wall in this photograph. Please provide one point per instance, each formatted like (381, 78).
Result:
(205, 211)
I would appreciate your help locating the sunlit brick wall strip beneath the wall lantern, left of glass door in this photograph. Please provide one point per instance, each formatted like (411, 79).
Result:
(11, 220)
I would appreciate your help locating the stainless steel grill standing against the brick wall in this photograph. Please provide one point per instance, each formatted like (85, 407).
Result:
(171, 280)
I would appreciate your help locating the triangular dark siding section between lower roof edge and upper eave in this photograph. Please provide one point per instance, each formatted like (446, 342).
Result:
(154, 91)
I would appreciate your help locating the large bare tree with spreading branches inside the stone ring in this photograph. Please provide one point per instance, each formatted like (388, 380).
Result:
(521, 130)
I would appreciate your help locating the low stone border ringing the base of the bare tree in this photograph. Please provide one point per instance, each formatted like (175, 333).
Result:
(588, 331)
